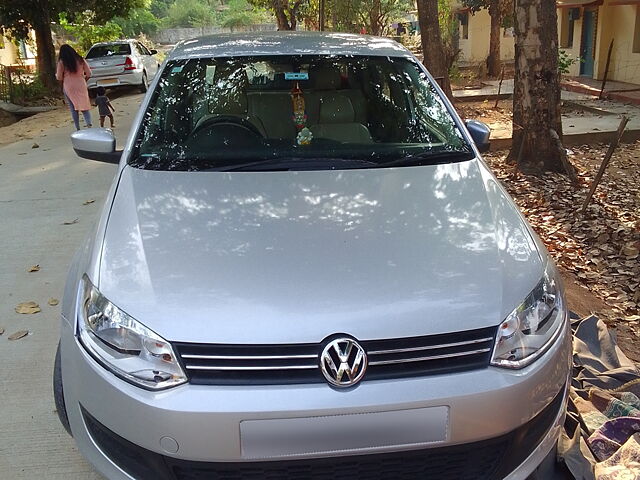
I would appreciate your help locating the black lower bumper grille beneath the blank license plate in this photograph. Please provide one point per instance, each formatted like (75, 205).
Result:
(490, 459)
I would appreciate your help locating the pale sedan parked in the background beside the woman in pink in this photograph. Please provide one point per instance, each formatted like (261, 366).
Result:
(126, 62)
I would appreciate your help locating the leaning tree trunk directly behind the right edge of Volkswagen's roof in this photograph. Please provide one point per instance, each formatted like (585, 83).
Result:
(432, 48)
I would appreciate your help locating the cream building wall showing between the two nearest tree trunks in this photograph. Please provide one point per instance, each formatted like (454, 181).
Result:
(476, 47)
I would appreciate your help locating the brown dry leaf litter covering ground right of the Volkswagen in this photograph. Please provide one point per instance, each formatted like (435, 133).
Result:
(601, 248)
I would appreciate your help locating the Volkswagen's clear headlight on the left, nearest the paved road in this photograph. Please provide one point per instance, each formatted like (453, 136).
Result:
(125, 346)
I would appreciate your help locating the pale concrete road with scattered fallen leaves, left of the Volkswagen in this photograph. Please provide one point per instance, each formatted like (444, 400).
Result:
(40, 189)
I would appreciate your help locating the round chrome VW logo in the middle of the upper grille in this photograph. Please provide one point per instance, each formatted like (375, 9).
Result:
(343, 362)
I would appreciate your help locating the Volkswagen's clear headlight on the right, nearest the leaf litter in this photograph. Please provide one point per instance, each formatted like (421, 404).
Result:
(530, 329)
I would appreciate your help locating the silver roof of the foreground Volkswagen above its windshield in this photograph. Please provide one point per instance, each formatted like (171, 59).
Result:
(287, 43)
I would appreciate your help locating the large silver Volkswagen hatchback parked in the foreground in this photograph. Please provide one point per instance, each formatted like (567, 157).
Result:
(305, 270)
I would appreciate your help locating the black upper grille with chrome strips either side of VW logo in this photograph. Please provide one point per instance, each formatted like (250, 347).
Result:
(222, 364)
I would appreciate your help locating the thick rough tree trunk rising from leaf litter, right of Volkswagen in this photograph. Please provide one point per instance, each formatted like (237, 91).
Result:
(536, 96)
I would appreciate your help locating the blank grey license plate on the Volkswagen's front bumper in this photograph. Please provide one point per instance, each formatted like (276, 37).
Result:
(343, 433)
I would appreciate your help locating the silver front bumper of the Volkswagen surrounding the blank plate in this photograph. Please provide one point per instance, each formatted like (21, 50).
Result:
(194, 430)
